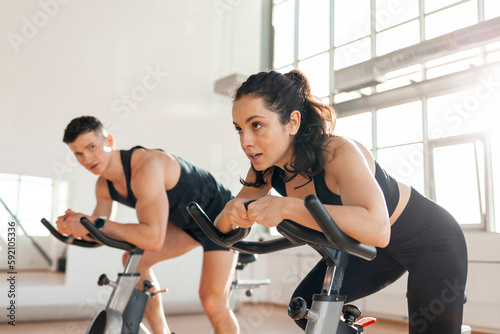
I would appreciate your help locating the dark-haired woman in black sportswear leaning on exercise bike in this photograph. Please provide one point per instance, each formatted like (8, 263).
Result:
(288, 136)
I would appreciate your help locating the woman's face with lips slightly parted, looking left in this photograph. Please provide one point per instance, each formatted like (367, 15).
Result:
(263, 138)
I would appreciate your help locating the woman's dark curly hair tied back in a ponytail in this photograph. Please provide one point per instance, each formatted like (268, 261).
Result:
(282, 94)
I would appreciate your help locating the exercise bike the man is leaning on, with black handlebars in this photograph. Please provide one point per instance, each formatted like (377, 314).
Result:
(125, 308)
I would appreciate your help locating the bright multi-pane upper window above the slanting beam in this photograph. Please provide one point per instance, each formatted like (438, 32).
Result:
(351, 32)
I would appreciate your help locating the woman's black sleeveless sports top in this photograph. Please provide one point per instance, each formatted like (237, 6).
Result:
(387, 183)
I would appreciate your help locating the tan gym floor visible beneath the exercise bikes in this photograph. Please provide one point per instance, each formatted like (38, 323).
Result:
(253, 319)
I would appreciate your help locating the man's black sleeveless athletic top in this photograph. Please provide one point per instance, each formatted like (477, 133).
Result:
(195, 184)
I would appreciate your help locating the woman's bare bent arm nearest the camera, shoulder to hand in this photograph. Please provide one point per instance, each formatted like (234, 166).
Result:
(363, 215)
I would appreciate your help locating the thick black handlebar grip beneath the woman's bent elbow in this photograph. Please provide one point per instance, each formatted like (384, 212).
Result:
(334, 233)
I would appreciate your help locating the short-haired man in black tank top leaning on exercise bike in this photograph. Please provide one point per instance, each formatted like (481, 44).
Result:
(159, 186)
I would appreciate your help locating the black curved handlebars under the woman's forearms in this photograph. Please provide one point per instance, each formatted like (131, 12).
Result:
(295, 234)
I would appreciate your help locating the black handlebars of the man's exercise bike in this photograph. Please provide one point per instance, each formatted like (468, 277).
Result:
(95, 233)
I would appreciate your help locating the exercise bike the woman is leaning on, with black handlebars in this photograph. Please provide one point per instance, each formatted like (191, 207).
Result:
(328, 313)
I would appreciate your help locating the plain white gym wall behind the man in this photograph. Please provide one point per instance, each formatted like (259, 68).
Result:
(64, 59)
